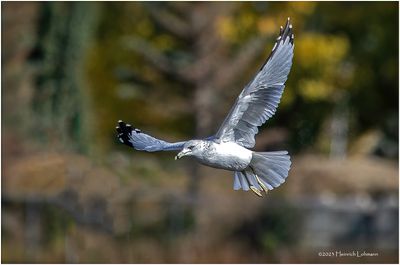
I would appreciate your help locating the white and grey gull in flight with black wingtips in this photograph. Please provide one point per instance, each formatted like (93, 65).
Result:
(230, 147)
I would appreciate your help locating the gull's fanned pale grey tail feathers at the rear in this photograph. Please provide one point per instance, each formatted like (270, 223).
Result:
(267, 170)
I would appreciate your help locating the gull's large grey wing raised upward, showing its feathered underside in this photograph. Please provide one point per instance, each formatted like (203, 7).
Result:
(260, 98)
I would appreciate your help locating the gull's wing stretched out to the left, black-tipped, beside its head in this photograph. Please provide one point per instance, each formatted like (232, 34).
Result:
(143, 142)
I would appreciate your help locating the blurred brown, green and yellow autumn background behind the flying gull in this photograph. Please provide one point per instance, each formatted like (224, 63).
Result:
(71, 193)
